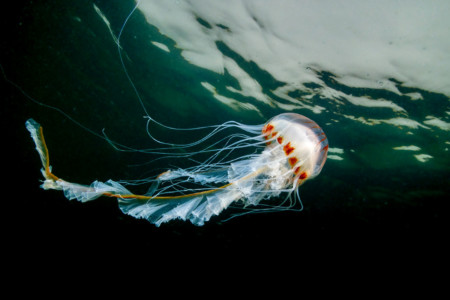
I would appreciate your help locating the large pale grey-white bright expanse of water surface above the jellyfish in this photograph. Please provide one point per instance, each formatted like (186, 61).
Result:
(289, 40)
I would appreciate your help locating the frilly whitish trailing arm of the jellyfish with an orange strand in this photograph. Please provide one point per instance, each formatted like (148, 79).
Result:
(141, 204)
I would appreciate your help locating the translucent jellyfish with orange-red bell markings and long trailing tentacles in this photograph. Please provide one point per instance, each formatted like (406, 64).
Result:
(293, 149)
